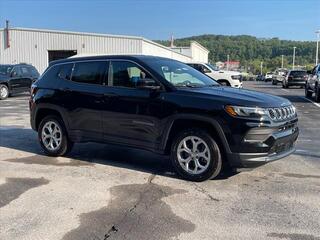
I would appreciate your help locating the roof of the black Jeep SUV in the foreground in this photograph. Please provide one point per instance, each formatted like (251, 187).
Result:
(102, 57)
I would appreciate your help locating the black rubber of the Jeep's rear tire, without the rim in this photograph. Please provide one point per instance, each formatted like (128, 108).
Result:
(65, 145)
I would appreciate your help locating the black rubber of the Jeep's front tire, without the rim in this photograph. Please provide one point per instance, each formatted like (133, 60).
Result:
(214, 167)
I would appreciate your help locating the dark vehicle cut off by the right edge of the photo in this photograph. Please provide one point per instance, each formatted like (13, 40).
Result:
(313, 83)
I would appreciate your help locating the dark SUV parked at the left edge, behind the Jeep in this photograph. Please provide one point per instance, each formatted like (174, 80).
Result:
(16, 78)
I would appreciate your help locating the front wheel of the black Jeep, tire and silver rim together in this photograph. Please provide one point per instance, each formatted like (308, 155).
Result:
(206, 144)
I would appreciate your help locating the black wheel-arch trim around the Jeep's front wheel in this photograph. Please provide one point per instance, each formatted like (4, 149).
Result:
(203, 118)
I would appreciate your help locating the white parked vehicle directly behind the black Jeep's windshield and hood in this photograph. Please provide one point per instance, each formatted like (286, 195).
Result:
(226, 78)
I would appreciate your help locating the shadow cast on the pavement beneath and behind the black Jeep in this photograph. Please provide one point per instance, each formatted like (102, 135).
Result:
(24, 139)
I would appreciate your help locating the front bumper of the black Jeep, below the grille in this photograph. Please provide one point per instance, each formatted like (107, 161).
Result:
(277, 145)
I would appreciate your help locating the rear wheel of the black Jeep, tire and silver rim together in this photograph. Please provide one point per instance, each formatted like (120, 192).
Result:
(58, 148)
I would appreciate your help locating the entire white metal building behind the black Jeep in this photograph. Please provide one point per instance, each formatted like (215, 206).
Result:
(38, 47)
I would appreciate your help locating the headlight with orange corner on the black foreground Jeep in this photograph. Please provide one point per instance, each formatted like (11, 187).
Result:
(246, 112)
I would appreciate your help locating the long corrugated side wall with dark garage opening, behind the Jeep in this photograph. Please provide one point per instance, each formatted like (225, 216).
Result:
(32, 46)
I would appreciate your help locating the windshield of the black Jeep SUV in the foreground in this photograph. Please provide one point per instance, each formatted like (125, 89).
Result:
(181, 75)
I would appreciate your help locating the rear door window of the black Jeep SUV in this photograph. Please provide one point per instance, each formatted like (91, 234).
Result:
(89, 72)
